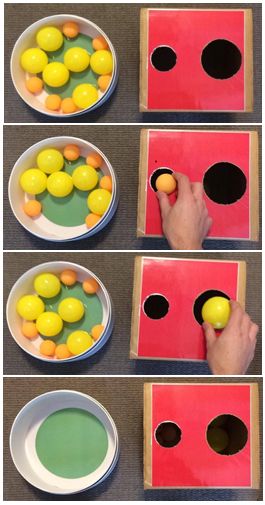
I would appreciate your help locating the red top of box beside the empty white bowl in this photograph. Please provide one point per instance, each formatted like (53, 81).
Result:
(192, 463)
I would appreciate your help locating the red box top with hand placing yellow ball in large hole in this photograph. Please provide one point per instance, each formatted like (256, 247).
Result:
(178, 335)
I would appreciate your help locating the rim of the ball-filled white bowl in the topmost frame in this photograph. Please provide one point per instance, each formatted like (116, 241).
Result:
(70, 17)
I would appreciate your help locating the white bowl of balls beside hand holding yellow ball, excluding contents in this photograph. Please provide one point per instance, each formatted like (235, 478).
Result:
(25, 285)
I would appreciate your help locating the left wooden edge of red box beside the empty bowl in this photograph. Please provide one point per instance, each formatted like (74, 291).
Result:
(148, 435)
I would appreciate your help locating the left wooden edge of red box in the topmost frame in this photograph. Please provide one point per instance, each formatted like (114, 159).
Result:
(143, 76)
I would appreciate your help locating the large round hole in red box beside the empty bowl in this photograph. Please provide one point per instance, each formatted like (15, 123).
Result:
(227, 434)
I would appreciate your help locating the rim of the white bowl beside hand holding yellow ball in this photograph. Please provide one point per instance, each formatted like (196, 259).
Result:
(74, 266)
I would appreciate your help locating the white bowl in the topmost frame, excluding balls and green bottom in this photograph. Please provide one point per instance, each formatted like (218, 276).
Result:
(27, 40)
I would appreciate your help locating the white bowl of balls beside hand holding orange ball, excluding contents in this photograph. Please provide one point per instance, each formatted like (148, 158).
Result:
(41, 227)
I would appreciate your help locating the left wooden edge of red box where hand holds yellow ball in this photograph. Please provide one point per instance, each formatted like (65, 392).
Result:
(137, 284)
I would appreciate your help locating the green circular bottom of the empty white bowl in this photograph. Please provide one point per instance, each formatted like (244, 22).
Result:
(71, 443)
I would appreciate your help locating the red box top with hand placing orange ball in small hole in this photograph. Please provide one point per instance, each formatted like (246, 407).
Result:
(192, 153)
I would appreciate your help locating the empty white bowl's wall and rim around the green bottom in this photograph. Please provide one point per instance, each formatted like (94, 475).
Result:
(23, 434)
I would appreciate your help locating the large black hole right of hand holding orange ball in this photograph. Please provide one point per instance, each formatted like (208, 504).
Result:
(224, 183)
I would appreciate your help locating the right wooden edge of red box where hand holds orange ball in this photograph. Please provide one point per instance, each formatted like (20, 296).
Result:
(254, 185)
